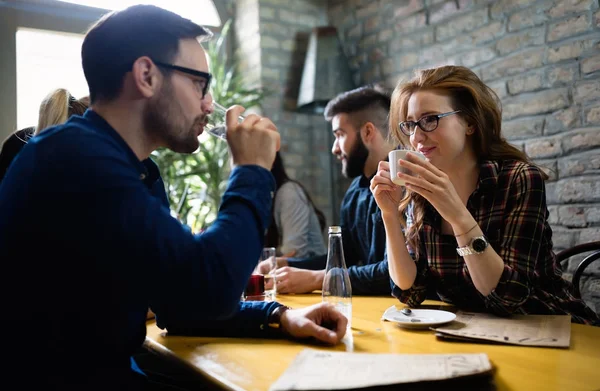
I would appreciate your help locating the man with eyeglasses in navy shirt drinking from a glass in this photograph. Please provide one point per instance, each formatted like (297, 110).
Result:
(87, 239)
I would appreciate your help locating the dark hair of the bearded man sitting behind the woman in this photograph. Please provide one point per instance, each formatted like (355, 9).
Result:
(363, 104)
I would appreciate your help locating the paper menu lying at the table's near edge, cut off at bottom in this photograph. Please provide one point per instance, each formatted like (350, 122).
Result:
(322, 370)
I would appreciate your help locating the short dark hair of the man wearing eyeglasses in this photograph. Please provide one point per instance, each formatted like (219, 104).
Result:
(118, 39)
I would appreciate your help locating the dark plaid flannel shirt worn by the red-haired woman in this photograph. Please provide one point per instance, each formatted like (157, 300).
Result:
(509, 204)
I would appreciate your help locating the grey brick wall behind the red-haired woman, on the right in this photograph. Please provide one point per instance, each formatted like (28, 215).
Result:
(541, 57)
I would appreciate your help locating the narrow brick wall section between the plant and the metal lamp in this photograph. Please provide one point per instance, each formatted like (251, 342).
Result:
(272, 37)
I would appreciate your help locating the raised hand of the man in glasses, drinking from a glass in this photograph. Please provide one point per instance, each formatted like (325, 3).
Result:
(254, 141)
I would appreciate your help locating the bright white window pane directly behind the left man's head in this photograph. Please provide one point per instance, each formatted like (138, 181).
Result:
(46, 60)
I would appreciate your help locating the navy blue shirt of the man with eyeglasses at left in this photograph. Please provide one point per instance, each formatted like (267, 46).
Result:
(88, 243)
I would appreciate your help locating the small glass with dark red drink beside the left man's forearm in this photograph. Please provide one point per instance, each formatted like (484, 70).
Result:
(262, 284)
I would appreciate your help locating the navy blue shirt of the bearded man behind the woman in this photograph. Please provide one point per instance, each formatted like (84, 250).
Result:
(363, 236)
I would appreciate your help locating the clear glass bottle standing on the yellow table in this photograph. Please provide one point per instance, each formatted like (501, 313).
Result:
(336, 283)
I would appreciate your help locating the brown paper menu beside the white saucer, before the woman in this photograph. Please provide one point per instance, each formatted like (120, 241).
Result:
(526, 330)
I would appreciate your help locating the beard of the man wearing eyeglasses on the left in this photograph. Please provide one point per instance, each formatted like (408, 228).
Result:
(163, 118)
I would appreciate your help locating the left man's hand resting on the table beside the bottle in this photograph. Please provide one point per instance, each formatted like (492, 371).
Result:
(320, 321)
